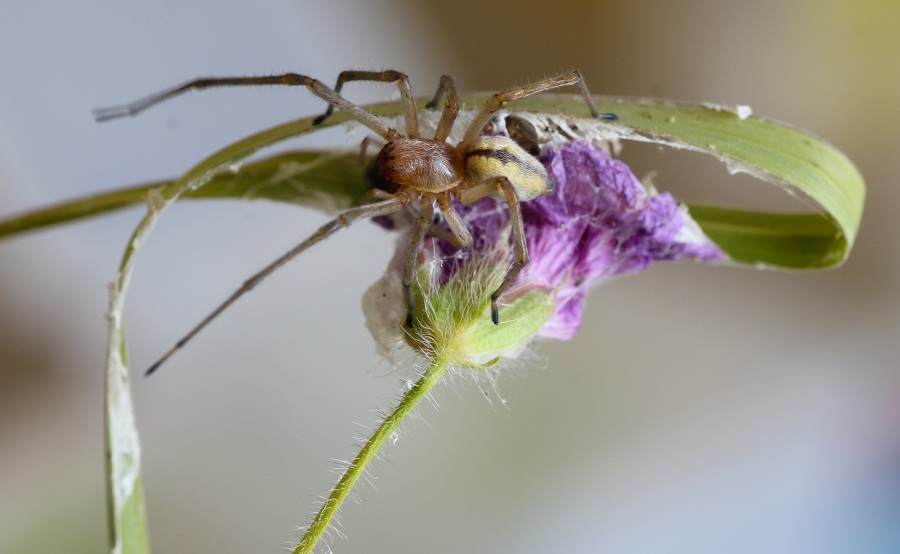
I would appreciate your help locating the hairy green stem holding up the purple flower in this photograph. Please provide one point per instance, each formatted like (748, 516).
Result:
(339, 493)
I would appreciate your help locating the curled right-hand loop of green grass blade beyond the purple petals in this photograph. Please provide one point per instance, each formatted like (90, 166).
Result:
(779, 154)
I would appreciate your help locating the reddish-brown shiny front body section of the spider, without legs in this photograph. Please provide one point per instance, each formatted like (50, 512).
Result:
(423, 164)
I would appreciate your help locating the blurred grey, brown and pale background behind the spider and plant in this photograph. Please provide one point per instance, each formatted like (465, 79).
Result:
(699, 409)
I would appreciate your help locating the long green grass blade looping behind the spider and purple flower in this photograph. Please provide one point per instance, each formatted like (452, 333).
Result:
(798, 162)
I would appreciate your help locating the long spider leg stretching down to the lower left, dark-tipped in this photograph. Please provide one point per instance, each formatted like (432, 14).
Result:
(343, 220)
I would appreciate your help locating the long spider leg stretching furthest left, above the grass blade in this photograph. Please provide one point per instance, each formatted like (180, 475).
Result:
(289, 79)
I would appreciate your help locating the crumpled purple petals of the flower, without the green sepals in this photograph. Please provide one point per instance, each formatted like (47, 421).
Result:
(600, 222)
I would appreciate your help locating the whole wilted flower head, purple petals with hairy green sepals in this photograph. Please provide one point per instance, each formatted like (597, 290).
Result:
(600, 222)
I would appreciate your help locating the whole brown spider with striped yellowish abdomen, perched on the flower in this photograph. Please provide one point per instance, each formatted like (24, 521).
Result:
(410, 167)
